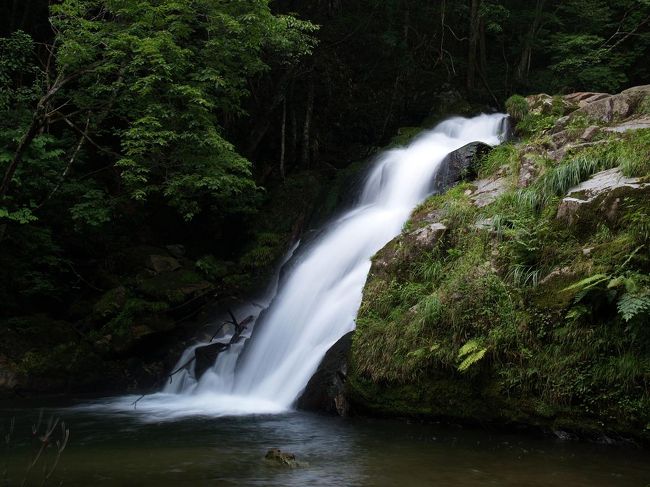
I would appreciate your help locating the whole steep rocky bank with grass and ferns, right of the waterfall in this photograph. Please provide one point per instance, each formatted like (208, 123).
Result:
(523, 296)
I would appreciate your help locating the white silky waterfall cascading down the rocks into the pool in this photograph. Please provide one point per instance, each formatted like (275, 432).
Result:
(317, 301)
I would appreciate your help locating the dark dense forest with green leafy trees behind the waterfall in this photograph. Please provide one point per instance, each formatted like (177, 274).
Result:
(157, 155)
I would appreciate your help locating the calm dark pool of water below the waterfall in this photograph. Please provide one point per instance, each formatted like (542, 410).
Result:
(123, 449)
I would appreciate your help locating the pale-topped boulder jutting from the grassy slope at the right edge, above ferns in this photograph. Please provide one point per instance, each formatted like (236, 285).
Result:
(600, 198)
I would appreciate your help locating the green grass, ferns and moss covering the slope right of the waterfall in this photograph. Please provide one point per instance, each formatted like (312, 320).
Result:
(561, 315)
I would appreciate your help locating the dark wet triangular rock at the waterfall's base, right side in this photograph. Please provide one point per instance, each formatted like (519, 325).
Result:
(325, 391)
